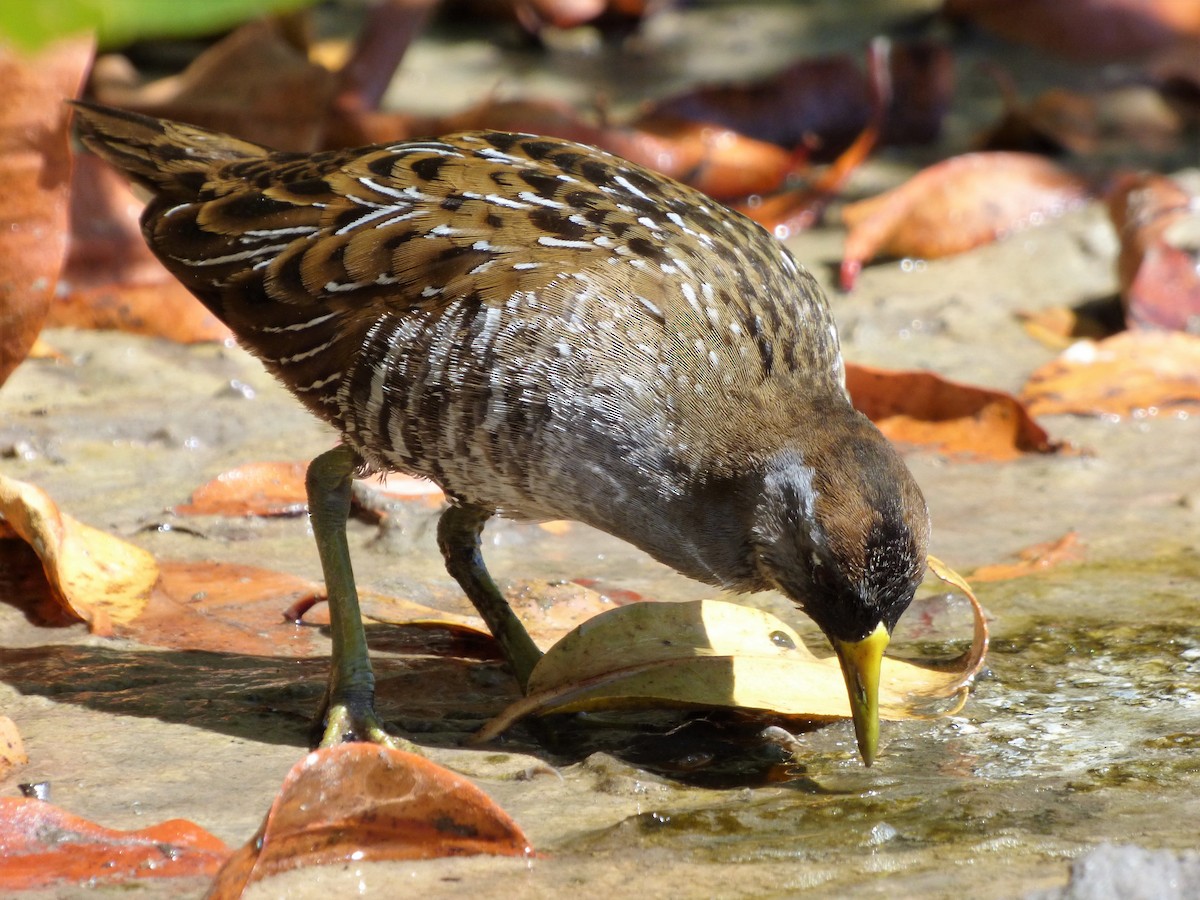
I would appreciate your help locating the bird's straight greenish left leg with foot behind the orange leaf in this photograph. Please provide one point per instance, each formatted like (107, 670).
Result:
(347, 712)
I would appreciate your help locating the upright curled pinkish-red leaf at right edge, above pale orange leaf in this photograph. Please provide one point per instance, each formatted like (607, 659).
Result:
(1156, 219)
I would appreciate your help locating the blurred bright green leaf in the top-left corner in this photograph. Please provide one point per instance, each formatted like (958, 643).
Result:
(31, 25)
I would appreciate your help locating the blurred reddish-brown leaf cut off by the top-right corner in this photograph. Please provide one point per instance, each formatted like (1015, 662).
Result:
(1090, 31)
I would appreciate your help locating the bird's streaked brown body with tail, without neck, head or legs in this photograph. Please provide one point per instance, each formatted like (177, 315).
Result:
(535, 325)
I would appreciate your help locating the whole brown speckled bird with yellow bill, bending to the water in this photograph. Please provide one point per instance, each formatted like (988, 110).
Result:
(547, 332)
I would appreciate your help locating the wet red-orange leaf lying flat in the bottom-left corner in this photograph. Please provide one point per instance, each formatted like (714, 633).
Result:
(45, 847)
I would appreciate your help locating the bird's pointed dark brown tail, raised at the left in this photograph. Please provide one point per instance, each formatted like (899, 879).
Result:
(166, 158)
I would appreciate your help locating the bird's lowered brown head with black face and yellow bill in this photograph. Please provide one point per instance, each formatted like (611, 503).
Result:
(842, 529)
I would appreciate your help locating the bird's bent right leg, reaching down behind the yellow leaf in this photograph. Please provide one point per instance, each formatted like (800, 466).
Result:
(459, 532)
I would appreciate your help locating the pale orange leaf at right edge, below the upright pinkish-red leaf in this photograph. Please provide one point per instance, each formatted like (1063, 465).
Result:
(1133, 374)
